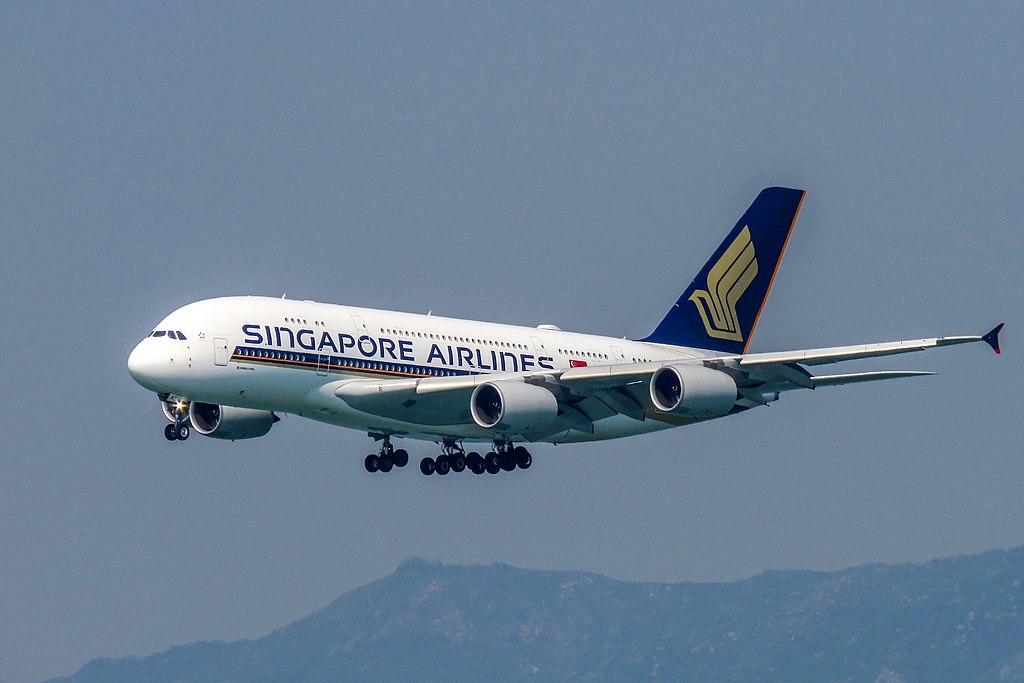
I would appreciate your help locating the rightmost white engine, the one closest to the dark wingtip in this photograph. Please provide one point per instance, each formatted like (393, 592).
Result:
(693, 392)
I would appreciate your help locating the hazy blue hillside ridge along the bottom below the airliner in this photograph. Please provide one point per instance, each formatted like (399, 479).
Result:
(959, 619)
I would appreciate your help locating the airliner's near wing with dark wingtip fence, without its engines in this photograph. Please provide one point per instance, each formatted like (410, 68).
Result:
(588, 395)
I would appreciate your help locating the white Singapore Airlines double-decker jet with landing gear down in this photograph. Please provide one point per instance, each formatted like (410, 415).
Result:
(228, 367)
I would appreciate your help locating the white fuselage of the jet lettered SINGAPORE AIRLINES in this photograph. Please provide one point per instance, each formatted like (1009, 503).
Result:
(284, 356)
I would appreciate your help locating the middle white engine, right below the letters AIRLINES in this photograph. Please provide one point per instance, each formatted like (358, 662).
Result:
(514, 407)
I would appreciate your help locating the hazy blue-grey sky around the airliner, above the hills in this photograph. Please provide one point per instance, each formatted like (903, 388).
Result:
(573, 164)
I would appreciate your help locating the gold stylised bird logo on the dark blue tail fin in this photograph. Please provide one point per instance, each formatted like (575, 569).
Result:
(728, 281)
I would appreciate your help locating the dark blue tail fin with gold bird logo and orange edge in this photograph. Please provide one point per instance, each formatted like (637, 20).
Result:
(720, 309)
